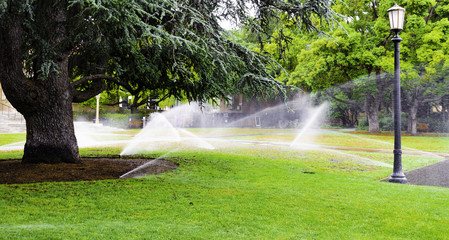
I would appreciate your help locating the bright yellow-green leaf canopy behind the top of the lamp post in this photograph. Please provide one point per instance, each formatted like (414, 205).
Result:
(364, 46)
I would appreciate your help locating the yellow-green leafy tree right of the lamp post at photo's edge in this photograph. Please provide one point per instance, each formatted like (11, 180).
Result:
(425, 54)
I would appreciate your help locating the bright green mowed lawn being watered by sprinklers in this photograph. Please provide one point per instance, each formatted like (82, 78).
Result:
(237, 191)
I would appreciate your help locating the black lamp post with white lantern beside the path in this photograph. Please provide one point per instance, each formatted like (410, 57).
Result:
(396, 15)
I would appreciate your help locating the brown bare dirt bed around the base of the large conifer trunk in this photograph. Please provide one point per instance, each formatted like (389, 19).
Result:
(14, 172)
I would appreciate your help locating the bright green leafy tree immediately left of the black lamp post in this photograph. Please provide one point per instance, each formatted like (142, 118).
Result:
(349, 56)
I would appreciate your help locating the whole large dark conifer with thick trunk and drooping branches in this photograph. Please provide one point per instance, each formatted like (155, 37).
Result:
(56, 52)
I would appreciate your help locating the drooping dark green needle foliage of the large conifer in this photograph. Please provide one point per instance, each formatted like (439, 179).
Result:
(176, 46)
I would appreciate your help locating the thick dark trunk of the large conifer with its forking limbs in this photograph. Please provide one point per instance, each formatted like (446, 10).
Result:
(46, 103)
